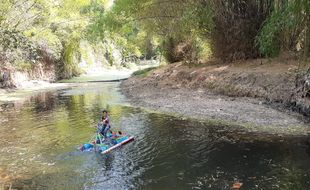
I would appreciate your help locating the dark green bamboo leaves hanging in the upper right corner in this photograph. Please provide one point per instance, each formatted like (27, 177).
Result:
(284, 29)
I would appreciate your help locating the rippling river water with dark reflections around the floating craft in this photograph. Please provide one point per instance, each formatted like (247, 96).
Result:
(39, 140)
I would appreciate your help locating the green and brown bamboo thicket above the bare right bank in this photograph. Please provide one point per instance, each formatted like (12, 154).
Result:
(233, 29)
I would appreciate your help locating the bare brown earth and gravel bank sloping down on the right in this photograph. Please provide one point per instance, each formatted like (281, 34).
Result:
(242, 93)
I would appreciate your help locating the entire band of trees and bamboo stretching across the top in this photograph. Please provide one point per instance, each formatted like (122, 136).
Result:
(33, 31)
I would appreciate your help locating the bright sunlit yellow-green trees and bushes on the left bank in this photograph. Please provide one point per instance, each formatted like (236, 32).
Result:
(36, 31)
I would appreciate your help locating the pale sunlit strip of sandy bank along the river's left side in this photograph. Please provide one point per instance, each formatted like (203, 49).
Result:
(22, 85)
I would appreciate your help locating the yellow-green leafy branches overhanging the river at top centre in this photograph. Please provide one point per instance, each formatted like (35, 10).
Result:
(128, 21)
